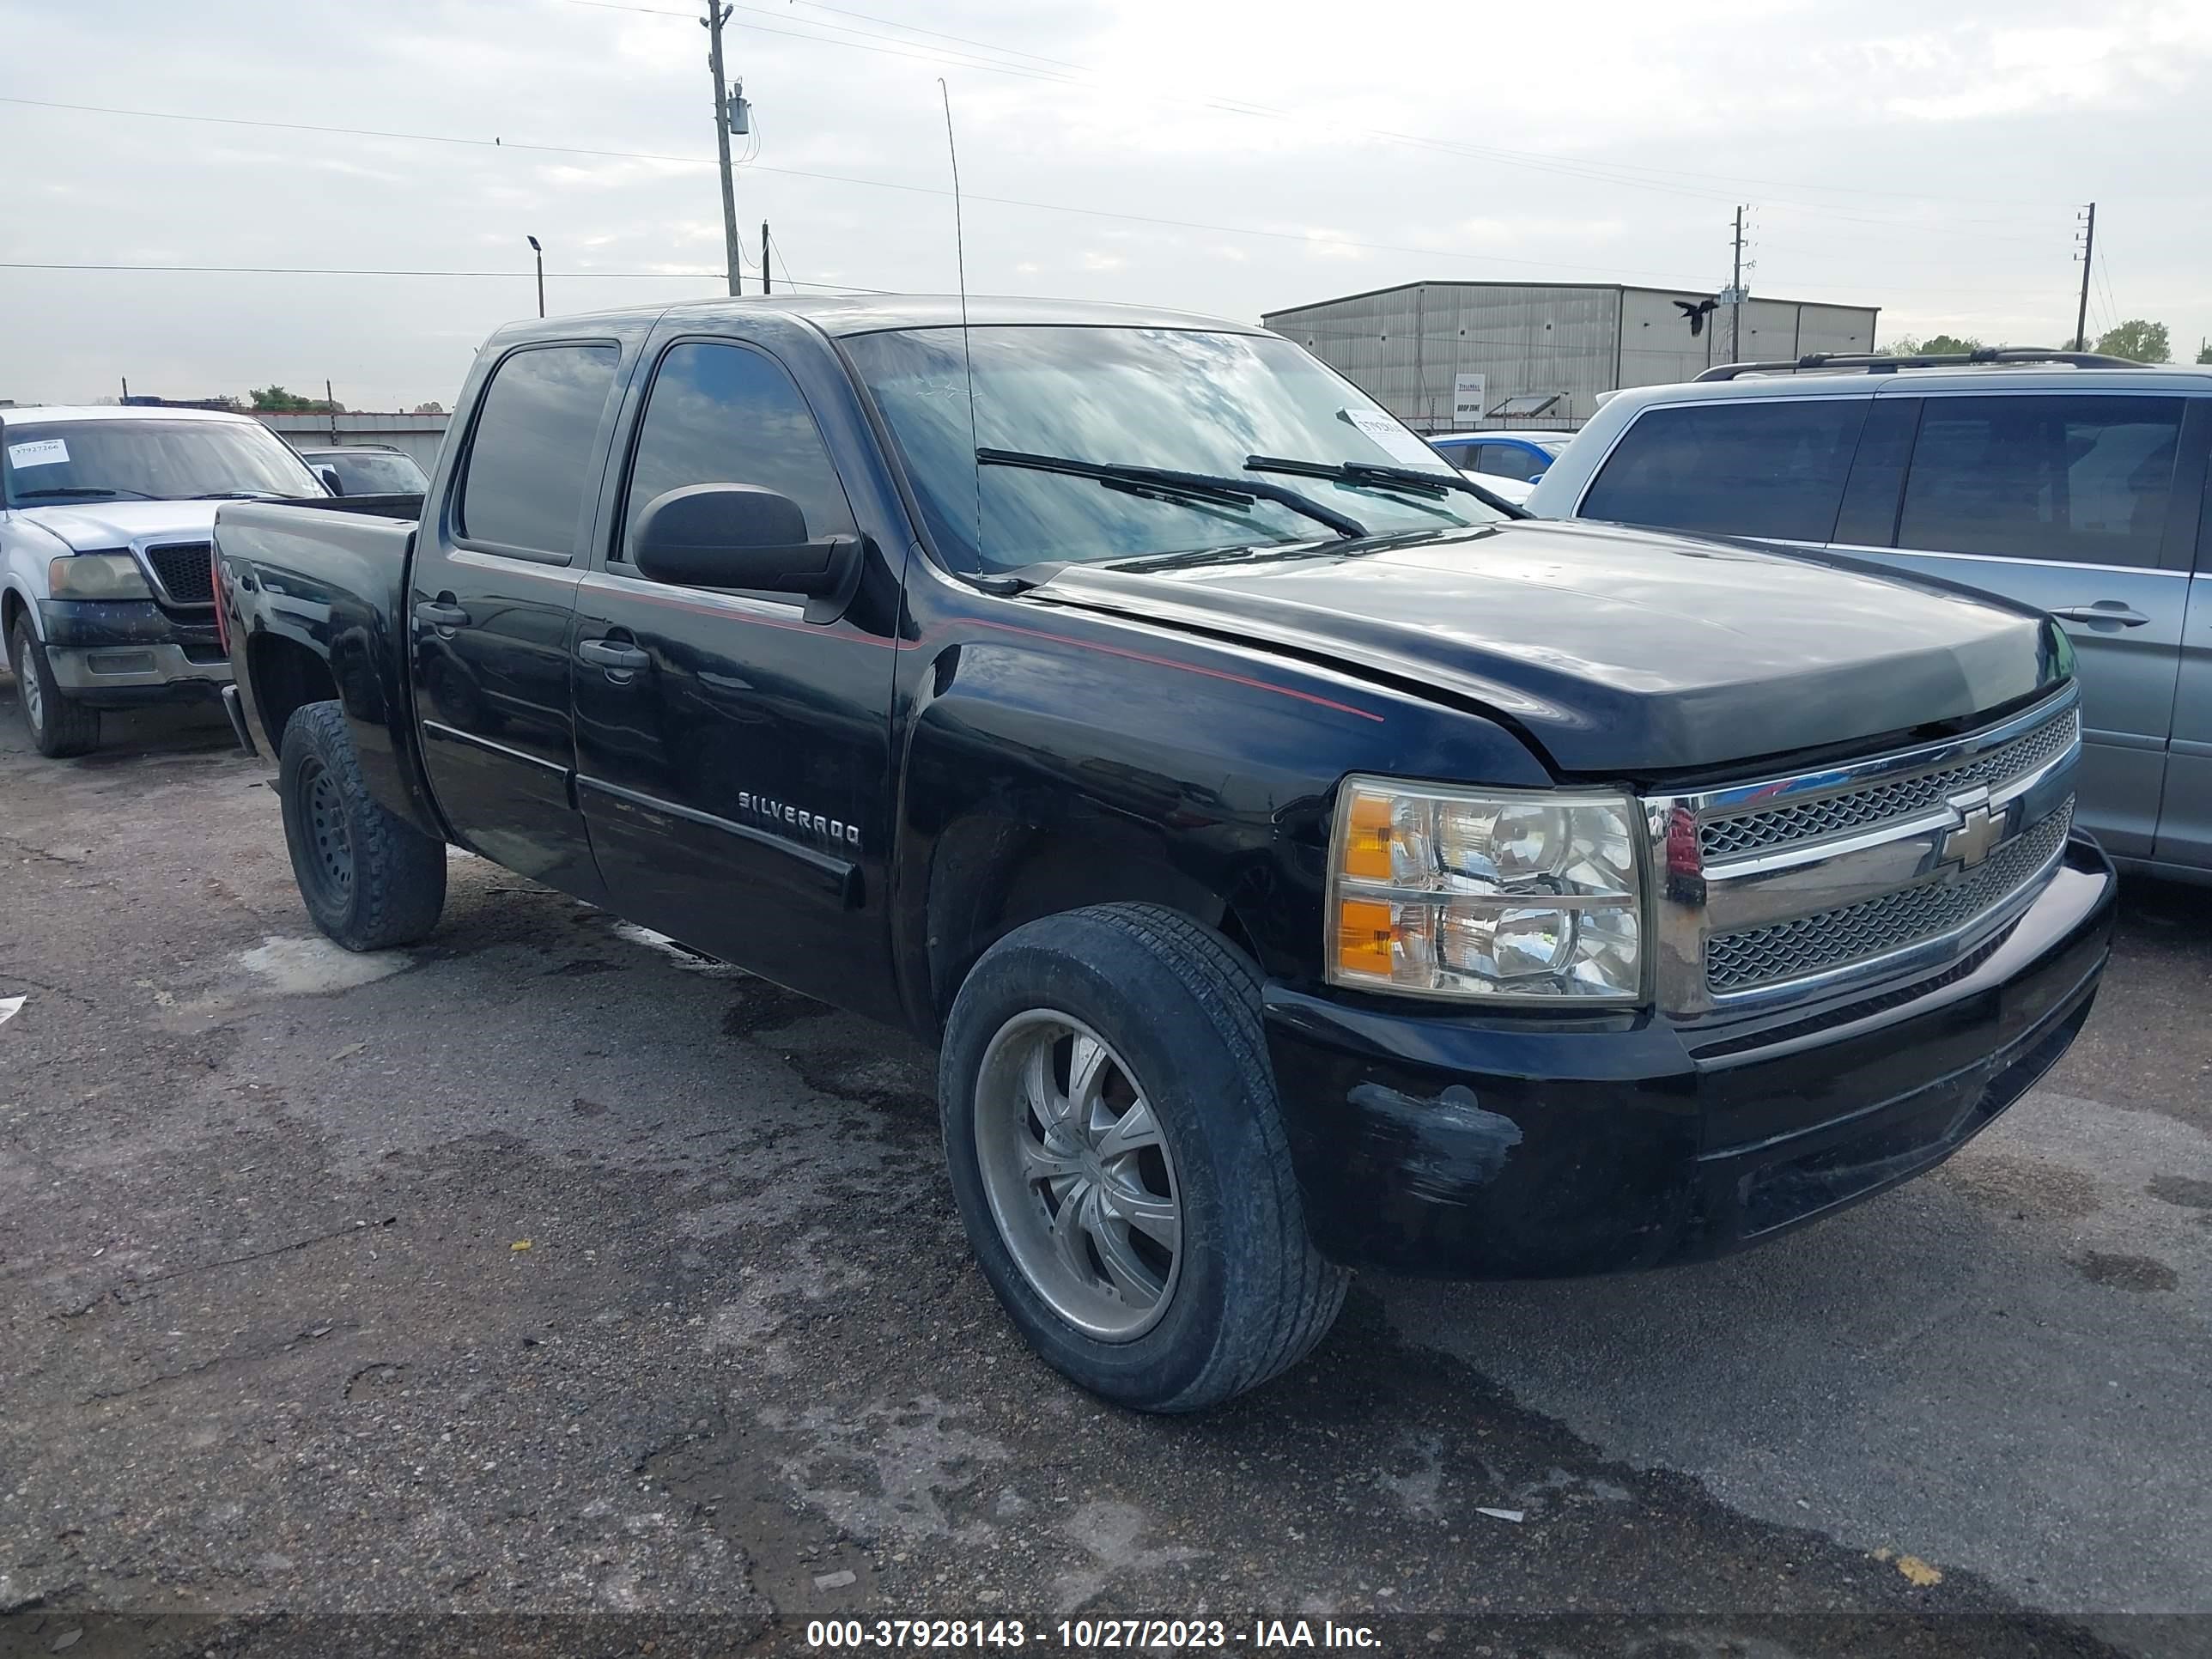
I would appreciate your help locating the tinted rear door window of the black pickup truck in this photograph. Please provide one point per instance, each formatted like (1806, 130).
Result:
(534, 448)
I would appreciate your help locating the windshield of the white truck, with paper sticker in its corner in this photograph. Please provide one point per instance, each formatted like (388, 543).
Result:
(81, 461)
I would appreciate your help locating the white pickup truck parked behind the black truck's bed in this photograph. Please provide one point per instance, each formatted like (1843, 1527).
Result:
(107, 596)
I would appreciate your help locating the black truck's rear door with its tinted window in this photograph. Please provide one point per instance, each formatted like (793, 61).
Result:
(494, 603)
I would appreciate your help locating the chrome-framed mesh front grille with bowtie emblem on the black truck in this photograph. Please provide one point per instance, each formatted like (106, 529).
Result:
(1782, 890)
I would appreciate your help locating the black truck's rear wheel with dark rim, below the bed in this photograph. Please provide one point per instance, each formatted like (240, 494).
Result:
(371, 881)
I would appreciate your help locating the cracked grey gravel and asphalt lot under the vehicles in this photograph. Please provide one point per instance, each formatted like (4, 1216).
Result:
(543, 1291)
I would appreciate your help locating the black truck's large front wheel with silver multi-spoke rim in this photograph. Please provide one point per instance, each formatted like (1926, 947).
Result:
(1242, 1295)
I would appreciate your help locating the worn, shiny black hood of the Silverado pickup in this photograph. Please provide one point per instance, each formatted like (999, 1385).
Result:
(1618, 651)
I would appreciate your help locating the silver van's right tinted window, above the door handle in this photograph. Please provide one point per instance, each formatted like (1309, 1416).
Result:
(2078, 479)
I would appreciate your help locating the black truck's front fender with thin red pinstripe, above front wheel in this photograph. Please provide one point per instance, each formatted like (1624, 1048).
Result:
(1178, 771)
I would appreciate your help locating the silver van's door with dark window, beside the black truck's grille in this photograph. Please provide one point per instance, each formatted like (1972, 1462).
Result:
(2074, 503)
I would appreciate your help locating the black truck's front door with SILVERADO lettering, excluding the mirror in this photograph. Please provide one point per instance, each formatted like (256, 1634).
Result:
(733, 758)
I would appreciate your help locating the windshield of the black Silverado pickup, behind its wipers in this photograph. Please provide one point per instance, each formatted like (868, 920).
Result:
(1131, 397)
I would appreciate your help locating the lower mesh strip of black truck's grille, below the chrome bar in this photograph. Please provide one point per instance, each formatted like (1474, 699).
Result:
(1877, 928)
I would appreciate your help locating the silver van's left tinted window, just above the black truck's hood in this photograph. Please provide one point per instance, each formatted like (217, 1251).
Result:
(1764, 468)
